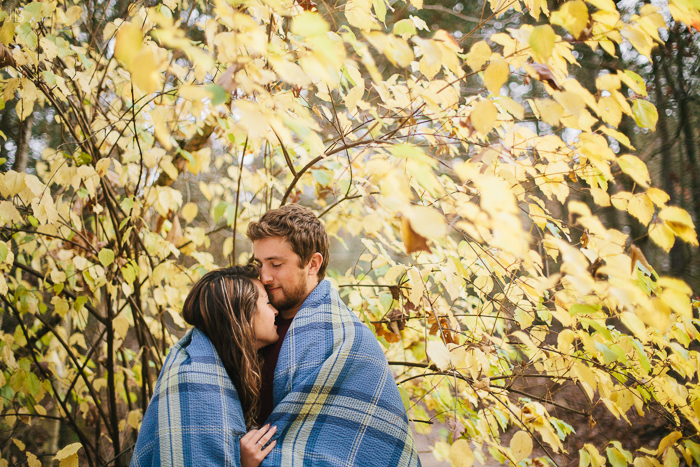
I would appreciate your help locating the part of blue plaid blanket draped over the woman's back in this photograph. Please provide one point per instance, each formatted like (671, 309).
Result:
(195, 416)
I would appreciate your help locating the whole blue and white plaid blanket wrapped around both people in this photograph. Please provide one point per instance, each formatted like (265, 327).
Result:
(336, 401)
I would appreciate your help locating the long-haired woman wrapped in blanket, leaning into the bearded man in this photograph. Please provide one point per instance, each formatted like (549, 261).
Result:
(207, 393)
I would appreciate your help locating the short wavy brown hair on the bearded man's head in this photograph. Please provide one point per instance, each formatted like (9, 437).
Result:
(300, 227)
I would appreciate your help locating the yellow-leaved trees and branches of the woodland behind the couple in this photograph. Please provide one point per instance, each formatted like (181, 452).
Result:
(511, 187)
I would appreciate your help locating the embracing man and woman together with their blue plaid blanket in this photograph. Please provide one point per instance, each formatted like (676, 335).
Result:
(273, 346)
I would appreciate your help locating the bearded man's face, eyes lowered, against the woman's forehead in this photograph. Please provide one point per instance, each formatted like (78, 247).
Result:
(286, 282)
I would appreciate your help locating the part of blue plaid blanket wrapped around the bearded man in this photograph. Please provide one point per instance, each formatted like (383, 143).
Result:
(336, 401)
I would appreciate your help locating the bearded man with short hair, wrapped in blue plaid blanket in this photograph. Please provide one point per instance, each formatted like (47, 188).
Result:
(326, 384)
